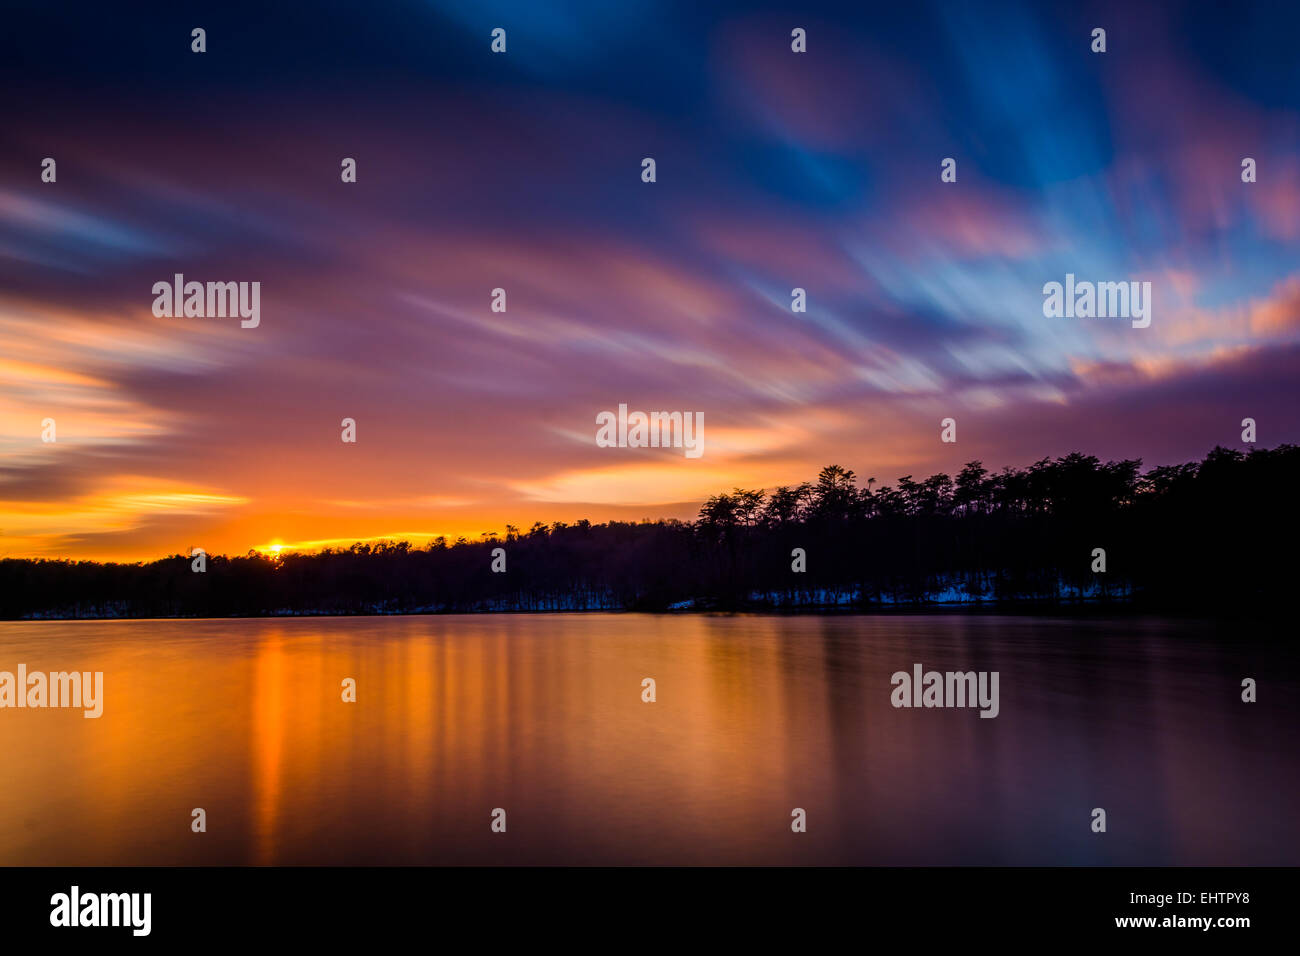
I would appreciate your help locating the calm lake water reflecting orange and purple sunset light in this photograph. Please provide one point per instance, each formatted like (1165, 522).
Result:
(756, 716)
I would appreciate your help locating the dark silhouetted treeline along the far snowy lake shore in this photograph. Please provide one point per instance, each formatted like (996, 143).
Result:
(1212, 535)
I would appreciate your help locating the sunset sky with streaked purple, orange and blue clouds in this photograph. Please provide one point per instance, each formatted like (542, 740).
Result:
(523, 171)
